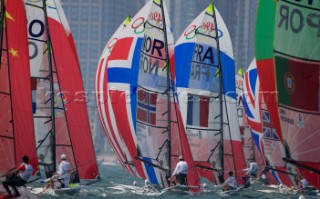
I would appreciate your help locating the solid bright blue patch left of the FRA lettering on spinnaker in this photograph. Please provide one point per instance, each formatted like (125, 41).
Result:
(183, 55)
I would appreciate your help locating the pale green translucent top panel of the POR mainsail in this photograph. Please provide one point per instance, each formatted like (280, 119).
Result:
(298, 29)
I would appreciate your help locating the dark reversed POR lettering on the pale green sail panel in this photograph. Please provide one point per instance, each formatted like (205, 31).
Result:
(296, 20)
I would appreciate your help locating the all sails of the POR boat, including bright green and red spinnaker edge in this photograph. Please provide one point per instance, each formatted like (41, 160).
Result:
(288, 51)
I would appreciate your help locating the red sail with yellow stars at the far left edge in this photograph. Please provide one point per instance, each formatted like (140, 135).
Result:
(16, 124)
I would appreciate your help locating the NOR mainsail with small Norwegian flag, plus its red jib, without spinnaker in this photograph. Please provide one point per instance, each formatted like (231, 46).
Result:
(158, 128)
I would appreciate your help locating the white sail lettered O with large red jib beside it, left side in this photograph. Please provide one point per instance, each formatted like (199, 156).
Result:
(59, 110)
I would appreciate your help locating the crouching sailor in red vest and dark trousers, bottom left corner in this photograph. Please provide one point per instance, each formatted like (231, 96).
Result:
(18, 177)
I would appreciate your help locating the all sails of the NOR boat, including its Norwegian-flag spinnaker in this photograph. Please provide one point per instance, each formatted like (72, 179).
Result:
(146, 116)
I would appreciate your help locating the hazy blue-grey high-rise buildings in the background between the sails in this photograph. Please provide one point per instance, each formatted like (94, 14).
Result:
(94, 21)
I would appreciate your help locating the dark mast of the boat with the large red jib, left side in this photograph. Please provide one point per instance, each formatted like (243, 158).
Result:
(48, 42)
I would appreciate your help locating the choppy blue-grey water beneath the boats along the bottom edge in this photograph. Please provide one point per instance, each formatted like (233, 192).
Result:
(112, 175)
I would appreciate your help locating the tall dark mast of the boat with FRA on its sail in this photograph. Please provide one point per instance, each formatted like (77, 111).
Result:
(221, 174)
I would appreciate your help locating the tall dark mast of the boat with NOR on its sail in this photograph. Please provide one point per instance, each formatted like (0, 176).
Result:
(168, 173)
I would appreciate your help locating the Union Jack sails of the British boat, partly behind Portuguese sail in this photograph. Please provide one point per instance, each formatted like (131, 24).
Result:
(263, 132)
